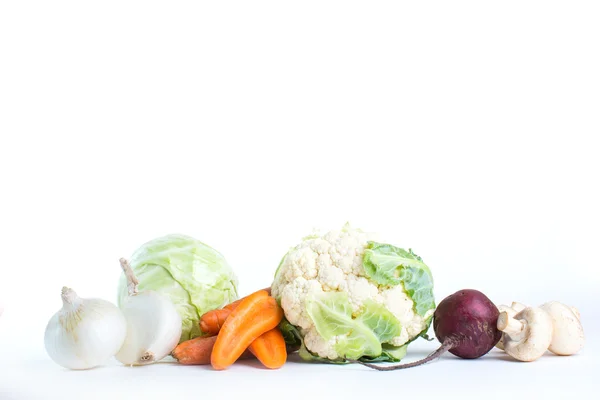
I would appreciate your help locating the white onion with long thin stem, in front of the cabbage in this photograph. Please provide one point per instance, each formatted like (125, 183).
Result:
(153, 324)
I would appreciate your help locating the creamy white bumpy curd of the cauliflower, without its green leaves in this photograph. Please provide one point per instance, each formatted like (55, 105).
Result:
(334, 262)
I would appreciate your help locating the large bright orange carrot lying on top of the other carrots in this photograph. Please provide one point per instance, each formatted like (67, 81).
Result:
(255, 315)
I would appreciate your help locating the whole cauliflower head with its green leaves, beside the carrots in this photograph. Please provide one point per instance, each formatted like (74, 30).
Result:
(348, 297)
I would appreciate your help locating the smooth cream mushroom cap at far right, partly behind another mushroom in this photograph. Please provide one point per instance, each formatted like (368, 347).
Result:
(567, 337)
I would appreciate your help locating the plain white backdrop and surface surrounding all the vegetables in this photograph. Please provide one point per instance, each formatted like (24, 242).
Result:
(464, 130)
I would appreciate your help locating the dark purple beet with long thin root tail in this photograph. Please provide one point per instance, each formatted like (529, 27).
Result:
(465, 324)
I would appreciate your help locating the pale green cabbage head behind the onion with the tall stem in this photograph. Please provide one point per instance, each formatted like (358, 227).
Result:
(194, 276)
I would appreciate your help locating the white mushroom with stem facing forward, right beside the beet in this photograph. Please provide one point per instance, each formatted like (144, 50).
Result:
(527, 335)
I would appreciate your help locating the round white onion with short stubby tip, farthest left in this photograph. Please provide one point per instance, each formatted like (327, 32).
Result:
(85, 333)
